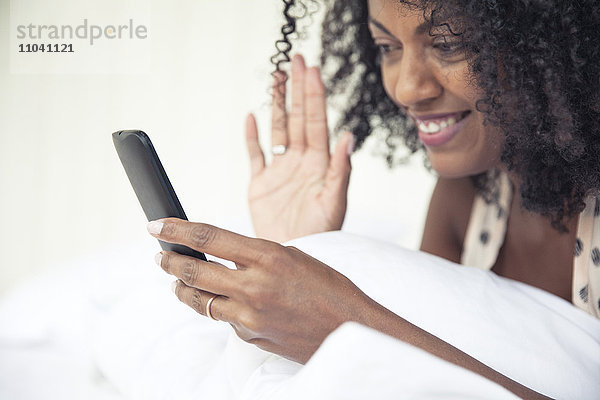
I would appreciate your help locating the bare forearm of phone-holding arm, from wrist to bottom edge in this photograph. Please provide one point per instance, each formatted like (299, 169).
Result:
(389, 323)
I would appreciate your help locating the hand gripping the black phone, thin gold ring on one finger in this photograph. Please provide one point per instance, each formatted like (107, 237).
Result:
(278, 298)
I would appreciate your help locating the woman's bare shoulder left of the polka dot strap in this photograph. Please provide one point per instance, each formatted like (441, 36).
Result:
(448, 217)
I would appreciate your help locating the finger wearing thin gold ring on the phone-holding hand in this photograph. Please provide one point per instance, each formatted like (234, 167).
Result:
(220, 308)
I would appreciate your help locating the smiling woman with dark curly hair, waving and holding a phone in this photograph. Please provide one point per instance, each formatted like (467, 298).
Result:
(503, 97)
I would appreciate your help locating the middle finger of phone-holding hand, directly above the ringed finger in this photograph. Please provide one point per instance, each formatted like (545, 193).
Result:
(208, 276)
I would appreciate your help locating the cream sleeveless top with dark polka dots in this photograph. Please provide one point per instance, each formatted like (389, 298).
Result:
(487, 228)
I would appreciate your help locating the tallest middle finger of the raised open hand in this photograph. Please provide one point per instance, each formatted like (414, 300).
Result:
(296, 116)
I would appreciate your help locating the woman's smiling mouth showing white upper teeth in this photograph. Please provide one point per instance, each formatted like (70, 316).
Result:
(438, 129)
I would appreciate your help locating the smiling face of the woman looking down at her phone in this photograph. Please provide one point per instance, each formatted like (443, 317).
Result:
(428, 76)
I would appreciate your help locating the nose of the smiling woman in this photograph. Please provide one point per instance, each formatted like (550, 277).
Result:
(413, 82)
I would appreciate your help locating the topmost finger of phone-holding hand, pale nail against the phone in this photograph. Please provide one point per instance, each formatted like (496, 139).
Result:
(209, 239)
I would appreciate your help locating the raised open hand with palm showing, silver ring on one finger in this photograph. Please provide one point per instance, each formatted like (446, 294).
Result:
(304, 190)
